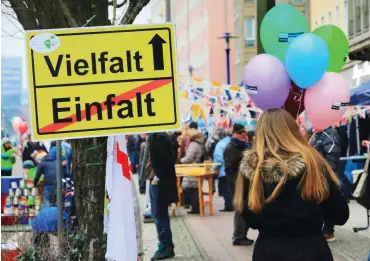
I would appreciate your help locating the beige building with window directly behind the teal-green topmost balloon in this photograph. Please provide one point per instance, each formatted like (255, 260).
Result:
(245, 26)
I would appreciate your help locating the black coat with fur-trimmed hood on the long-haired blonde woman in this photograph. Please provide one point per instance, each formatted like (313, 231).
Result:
(290, 228)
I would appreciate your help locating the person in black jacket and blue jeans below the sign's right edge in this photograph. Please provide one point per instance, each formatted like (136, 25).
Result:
(163, 190)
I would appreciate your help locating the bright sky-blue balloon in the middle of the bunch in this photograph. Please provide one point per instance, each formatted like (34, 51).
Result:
(307, 60)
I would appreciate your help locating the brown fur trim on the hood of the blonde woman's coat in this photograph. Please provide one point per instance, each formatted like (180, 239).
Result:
(271, 170)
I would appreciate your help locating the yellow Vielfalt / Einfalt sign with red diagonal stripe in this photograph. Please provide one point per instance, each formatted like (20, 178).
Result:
(102, 81)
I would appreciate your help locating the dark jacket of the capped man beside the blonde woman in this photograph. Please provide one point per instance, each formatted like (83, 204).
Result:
(233, 155)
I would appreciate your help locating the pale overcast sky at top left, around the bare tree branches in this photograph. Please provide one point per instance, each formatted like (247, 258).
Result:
(14, 45)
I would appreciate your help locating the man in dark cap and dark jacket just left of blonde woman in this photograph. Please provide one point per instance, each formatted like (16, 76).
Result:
(233, 155)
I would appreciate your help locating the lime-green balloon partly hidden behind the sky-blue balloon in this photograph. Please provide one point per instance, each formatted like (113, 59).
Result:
(337, 43)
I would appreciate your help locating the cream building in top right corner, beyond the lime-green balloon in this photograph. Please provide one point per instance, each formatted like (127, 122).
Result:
(352, 16)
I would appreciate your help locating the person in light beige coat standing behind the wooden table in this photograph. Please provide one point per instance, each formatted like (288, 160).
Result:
(193, 154)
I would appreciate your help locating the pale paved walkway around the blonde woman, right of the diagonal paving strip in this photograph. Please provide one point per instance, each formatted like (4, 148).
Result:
(214, 234)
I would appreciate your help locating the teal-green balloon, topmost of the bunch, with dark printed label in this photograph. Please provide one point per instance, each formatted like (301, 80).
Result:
(279, 27)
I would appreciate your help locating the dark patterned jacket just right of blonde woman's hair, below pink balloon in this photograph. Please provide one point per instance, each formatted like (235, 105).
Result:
(328, 144)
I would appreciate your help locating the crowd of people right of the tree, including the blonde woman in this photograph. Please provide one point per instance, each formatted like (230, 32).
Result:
(282, 180)
